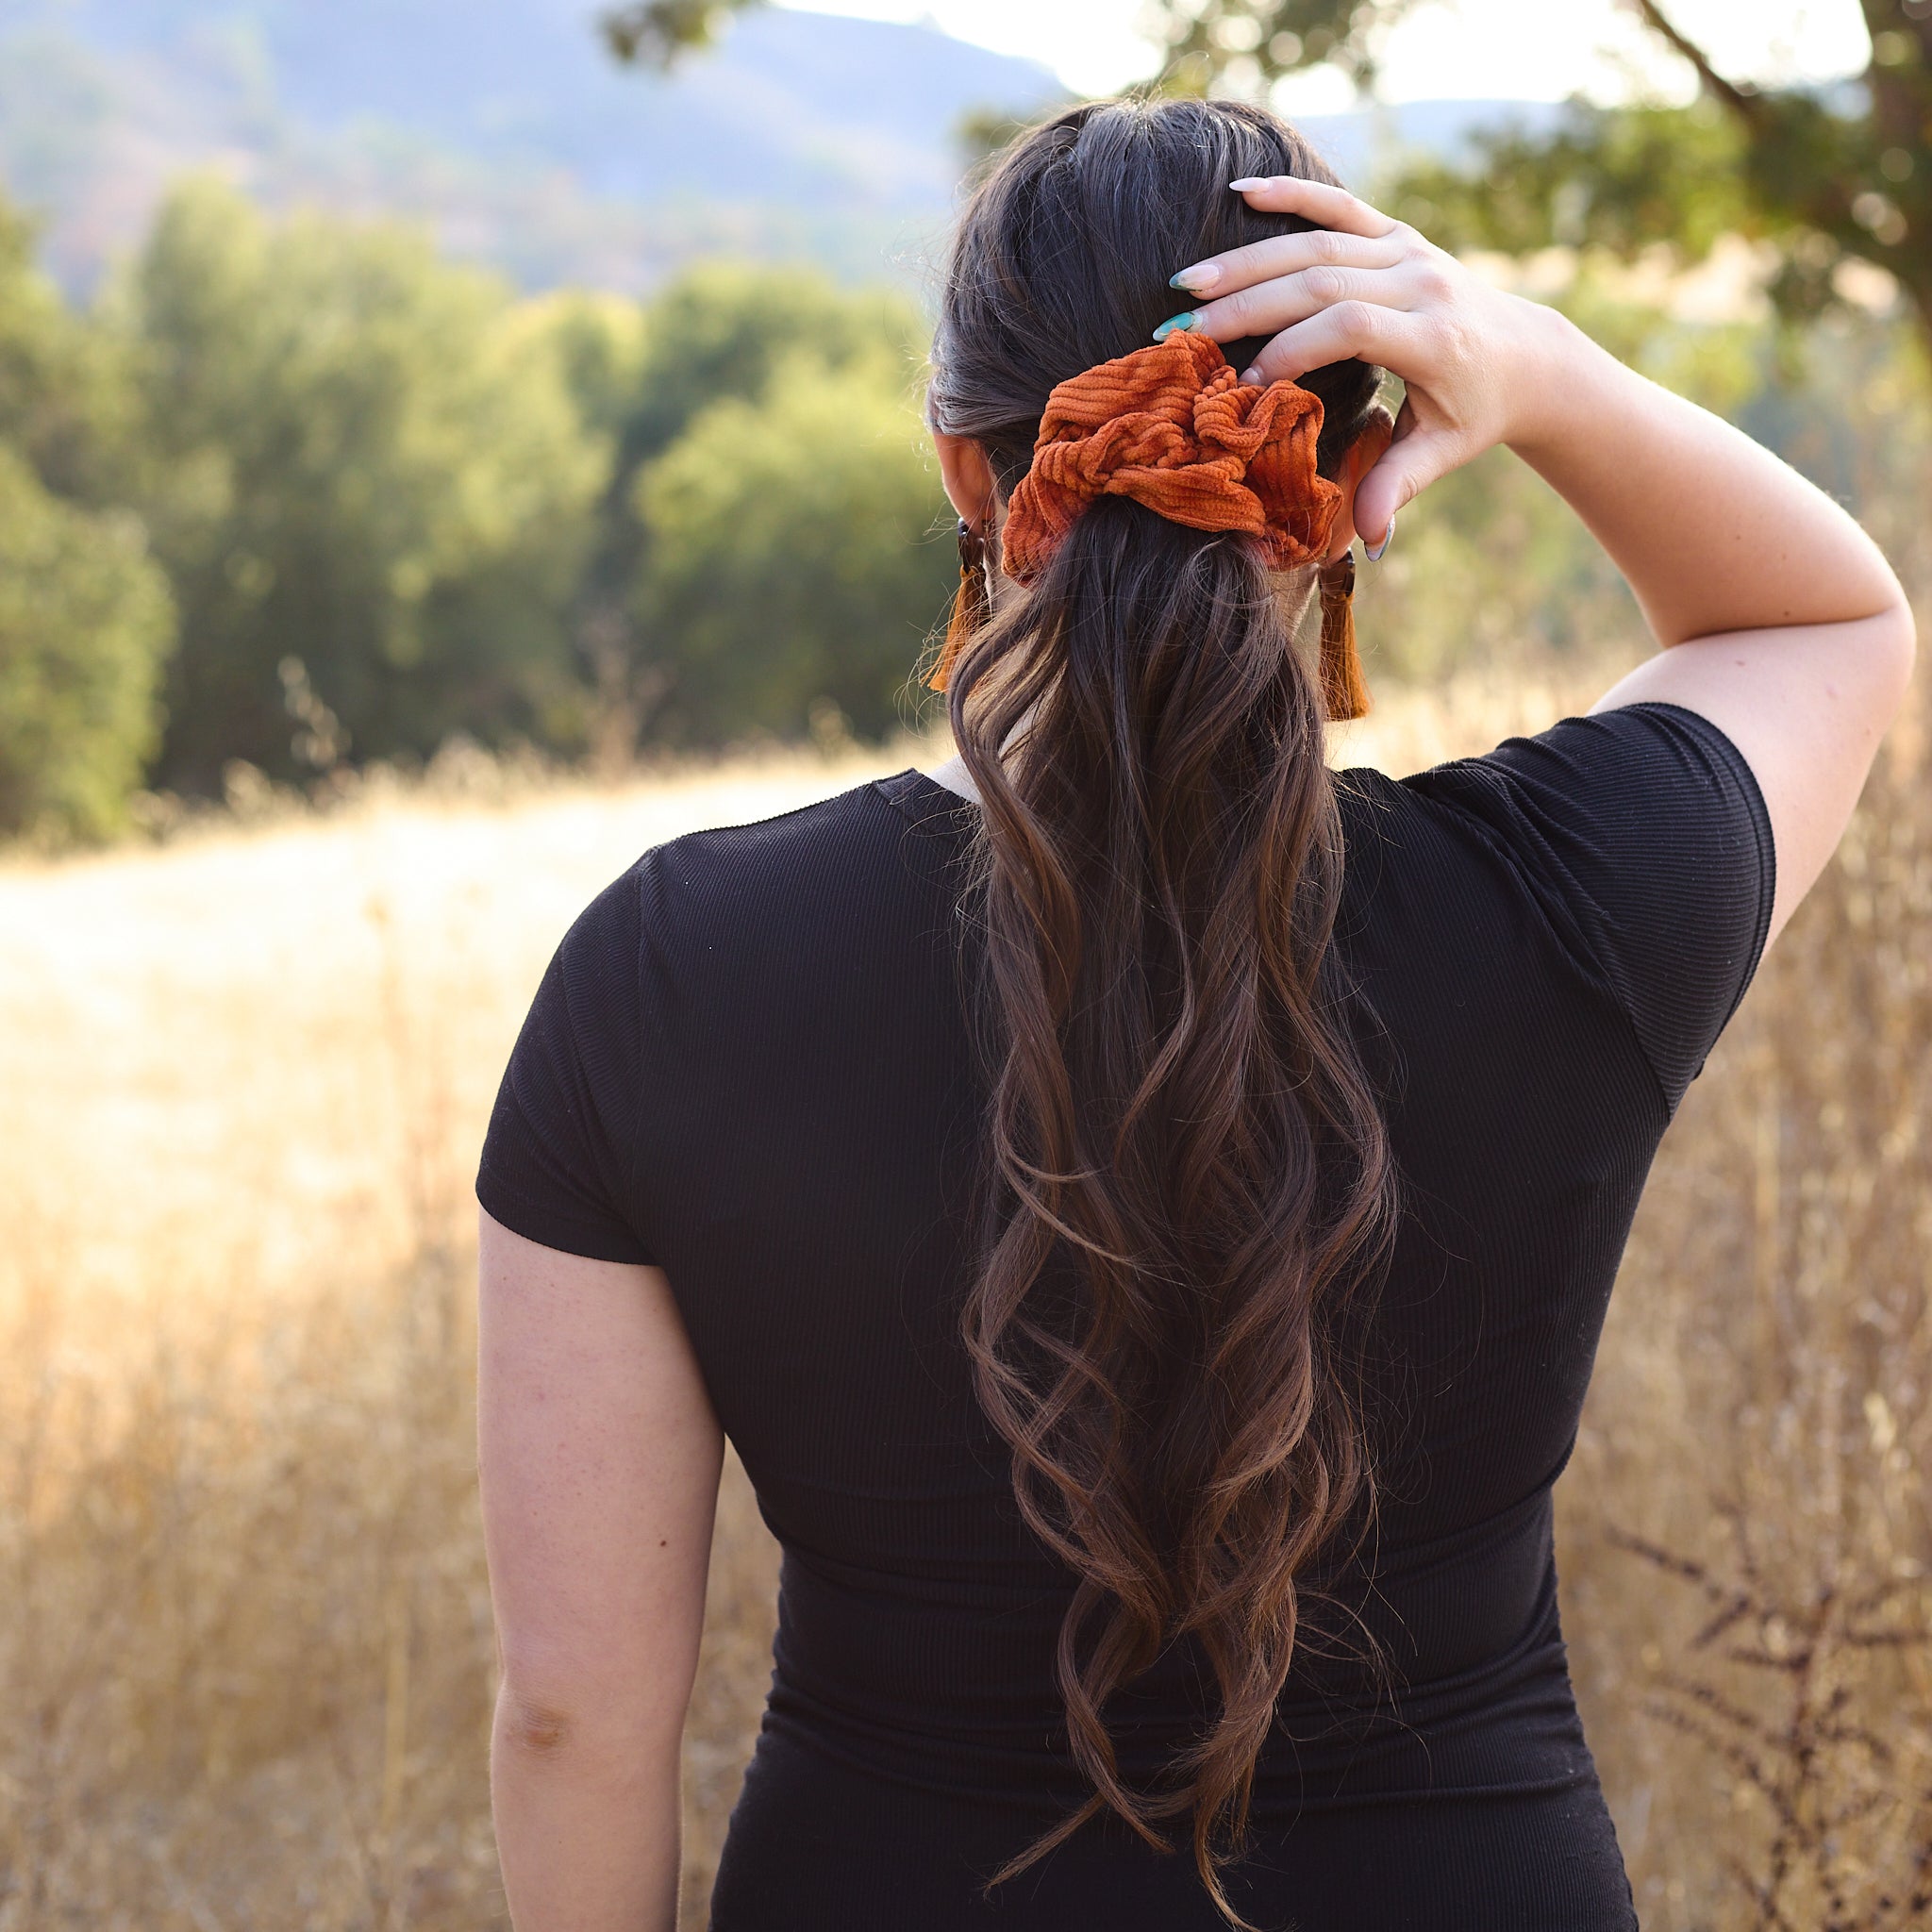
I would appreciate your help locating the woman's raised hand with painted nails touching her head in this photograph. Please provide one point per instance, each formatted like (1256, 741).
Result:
(1475, 360)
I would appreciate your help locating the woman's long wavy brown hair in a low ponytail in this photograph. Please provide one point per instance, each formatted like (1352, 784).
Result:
(1191, 1170)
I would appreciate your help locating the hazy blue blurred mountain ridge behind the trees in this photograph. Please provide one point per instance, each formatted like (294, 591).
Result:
(519, 140)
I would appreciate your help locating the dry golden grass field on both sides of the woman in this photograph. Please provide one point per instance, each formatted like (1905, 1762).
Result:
(248, 1655)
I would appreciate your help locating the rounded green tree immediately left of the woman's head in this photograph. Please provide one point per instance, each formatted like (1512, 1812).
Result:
(799, 554)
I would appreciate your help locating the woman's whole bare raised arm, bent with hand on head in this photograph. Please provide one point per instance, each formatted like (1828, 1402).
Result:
(1780, 619)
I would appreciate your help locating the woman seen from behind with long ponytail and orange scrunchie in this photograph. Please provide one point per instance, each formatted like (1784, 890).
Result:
(1141, 1205)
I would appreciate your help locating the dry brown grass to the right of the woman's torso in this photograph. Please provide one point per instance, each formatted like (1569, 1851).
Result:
(1747, 1547)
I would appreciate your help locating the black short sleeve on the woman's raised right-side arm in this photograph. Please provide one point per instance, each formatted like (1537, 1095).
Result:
(1643, 836)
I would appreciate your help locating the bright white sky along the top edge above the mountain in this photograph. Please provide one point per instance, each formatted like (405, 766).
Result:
(1448, 49)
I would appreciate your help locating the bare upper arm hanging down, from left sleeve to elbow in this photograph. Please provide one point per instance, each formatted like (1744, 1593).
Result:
(600, 1465)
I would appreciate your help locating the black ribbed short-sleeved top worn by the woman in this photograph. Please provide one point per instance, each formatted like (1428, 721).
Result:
(751, 1065)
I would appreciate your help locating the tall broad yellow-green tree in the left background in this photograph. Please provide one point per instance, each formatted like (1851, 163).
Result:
(360, 461)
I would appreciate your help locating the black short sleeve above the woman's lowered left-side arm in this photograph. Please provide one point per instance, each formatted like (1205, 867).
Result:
(557, 1160)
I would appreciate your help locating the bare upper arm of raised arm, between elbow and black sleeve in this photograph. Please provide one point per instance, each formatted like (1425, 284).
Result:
(1805, 708)
